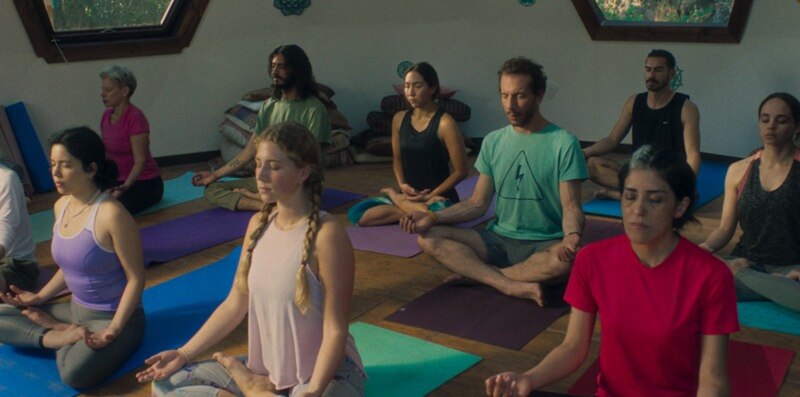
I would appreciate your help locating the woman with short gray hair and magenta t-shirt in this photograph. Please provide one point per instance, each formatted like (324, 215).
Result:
(126, 134)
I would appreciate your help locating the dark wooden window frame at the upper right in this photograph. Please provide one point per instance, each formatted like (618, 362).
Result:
(600, 29)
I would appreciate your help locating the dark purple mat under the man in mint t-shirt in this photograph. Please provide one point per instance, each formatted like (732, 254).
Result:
(480, 313)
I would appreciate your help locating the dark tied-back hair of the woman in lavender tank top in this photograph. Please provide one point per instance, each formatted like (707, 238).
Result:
(86, 146)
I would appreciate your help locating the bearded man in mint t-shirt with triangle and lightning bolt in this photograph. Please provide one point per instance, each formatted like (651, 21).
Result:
(535, 169)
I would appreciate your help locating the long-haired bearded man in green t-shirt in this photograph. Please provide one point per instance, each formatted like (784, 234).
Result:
(293, 98)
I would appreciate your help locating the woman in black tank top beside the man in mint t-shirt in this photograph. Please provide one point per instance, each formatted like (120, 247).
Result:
(425, 142)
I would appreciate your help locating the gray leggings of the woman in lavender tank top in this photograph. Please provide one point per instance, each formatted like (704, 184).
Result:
(78, 365)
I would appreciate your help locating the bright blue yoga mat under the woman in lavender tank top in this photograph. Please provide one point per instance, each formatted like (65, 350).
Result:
(175, 311)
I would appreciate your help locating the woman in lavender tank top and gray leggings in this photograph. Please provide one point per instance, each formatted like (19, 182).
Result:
(97, 248)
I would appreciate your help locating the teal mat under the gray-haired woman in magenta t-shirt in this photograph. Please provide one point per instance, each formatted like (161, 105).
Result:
(176, 191)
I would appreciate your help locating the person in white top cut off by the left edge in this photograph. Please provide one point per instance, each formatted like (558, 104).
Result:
(17, 259)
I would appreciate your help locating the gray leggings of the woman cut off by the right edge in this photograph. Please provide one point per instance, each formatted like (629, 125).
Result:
(758, 283)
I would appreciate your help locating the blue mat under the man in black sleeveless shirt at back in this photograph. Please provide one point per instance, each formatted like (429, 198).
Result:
(710, 185)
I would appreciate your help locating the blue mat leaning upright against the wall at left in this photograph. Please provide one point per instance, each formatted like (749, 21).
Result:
(32, 151)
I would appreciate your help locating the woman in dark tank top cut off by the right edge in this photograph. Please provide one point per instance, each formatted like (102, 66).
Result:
(762, 195)
